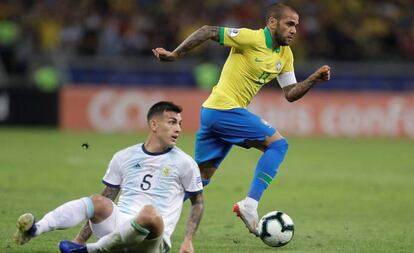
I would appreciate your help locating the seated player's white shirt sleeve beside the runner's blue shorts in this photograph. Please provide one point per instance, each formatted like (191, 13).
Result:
(191, 178)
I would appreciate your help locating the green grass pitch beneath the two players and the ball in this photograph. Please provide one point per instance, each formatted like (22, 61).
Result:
(344, 195)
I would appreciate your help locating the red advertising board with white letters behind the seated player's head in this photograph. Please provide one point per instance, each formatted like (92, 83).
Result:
(115, 110)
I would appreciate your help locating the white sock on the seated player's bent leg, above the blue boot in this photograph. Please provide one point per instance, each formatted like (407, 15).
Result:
(130, 233)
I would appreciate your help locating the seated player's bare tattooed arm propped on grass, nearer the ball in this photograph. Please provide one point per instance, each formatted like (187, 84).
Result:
(197, 208)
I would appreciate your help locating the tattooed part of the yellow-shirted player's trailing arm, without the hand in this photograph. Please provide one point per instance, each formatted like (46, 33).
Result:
(198, 37)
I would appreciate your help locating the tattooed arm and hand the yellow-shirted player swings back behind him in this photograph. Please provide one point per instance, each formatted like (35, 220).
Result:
(195, 39)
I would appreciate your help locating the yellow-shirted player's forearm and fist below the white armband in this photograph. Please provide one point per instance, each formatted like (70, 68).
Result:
(294, 92)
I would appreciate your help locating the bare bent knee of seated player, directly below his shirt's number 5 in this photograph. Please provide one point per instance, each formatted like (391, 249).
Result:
(150, 219)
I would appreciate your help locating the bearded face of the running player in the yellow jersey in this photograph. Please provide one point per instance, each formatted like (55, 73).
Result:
(286, 28)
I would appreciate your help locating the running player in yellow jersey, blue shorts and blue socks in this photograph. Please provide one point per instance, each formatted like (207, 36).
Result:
(256, 57)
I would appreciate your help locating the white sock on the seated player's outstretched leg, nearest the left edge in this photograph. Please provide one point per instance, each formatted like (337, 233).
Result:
(66, 216)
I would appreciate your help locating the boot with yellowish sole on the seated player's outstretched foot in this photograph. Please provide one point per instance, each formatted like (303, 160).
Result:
(26, 229)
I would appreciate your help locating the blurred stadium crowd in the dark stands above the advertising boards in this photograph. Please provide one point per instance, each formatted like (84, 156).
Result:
(89, 41)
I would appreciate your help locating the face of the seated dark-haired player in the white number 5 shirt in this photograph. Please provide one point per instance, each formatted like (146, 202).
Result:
(168, 128)
